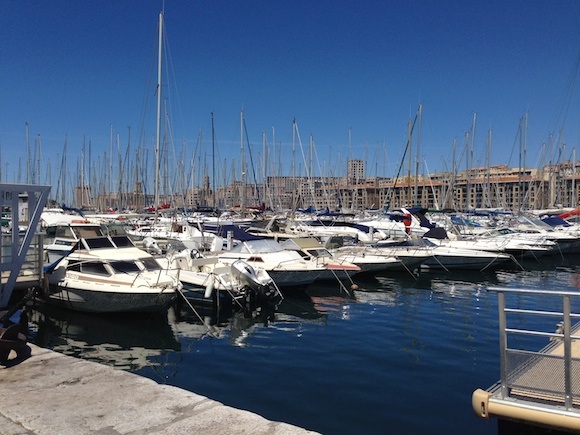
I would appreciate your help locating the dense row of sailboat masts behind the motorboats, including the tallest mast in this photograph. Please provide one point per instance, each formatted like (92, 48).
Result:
(102, 176)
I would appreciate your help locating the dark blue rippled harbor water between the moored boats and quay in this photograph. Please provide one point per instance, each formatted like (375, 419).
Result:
(402, 354)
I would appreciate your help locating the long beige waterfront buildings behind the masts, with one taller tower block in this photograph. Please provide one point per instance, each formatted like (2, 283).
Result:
(496, 187)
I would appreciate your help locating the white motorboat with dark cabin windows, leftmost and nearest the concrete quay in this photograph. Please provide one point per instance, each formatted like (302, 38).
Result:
(109, 274)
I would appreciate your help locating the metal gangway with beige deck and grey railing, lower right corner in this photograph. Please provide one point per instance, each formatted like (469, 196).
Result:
(536, 388)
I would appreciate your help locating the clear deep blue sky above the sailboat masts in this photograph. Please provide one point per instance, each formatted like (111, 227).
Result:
(351, 73)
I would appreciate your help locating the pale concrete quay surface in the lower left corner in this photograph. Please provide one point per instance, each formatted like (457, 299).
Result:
(50, 393)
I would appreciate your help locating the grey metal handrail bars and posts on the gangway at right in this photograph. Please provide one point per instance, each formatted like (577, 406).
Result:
(565, 334)
